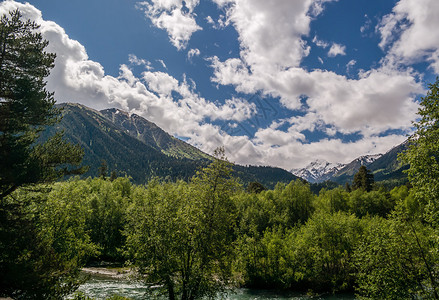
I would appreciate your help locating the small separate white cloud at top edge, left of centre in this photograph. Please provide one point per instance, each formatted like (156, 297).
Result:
(174, 16)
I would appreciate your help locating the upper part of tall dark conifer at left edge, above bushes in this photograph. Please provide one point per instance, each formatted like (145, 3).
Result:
(27, 107)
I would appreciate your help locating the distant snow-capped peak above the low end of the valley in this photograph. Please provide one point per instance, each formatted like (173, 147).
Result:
(318, 171)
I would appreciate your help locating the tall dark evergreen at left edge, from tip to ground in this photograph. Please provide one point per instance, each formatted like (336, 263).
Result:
(30, 266)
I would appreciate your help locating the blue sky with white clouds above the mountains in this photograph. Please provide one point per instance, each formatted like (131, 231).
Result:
(279, 83)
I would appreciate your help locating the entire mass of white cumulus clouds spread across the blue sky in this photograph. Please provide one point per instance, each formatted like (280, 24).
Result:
(272, 49)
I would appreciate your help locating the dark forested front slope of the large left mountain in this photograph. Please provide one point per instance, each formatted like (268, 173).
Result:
(103, 140)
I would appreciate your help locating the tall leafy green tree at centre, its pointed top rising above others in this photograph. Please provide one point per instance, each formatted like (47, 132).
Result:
(180, 234)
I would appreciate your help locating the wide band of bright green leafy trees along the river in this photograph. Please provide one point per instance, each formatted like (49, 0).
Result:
(199, 237)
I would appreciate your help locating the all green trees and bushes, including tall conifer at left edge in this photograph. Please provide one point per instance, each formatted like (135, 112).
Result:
(195, 238)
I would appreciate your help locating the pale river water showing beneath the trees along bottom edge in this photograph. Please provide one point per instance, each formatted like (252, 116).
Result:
(101, 287)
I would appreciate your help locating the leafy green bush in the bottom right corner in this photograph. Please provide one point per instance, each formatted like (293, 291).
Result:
(395, 260)
